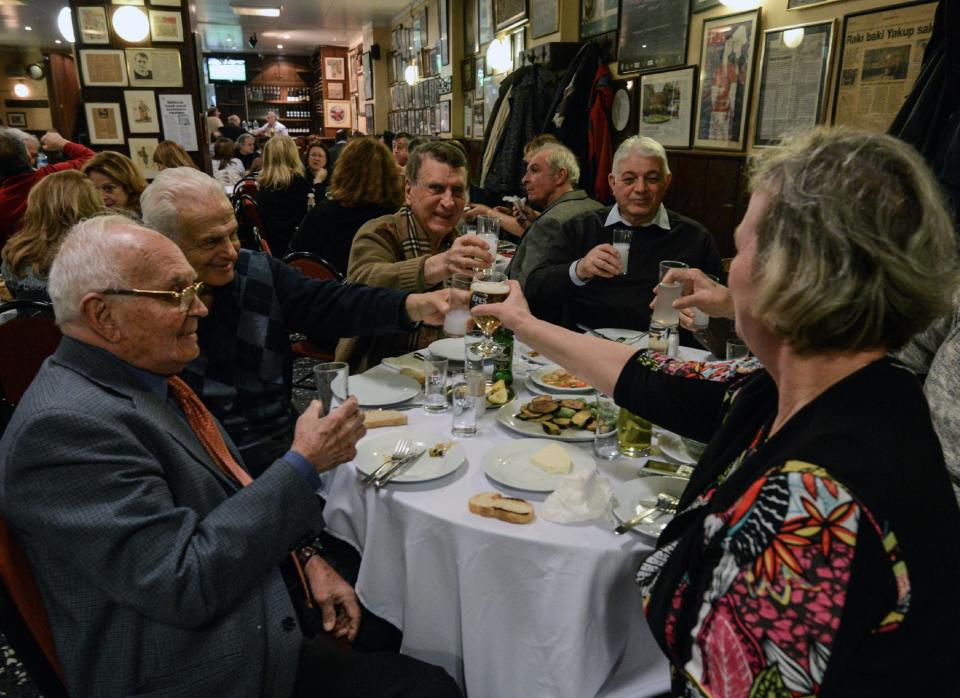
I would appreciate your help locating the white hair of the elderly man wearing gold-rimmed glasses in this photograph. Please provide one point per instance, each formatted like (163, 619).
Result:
(86, 262)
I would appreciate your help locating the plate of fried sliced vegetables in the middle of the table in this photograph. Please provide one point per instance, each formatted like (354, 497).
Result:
(561, 417)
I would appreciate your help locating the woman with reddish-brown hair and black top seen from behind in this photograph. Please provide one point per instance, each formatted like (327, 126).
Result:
(364, 186)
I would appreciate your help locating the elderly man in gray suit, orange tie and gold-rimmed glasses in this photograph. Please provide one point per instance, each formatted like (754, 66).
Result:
(157, 558)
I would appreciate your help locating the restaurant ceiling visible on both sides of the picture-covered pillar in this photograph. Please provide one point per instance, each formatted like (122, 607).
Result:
(301, 27)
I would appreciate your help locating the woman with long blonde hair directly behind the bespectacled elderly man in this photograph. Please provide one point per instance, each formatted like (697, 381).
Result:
(54, 205)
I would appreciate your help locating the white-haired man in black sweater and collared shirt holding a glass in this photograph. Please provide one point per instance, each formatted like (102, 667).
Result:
(581, 279)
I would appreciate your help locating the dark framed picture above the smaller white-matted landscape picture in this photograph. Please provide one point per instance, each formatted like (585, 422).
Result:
(652, 35)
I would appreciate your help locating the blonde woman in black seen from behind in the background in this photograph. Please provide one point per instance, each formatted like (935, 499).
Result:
(282, 196)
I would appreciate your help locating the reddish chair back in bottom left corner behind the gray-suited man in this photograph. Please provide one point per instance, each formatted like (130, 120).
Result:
(23, 618)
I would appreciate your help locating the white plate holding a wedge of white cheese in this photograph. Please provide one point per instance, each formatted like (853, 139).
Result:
(537, 465)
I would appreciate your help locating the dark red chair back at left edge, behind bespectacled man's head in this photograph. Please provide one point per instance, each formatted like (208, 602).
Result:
(26, 339)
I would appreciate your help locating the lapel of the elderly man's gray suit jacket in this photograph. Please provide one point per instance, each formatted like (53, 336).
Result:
(106, 372)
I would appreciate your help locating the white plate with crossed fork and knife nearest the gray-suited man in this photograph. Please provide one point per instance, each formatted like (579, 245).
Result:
(372, 451)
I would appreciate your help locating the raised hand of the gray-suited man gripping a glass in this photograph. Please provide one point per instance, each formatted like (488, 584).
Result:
(329, 441)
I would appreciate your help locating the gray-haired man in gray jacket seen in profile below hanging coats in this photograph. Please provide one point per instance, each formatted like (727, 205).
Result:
(550, 181)
